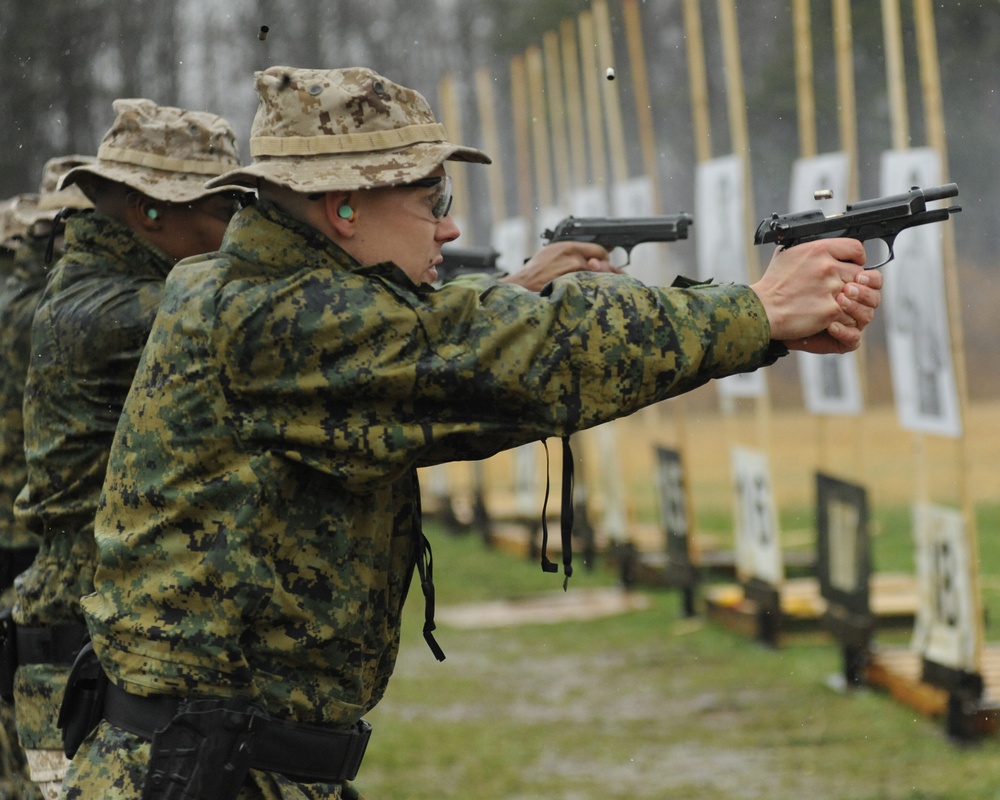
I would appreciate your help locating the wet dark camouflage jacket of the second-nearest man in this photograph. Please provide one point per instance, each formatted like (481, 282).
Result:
(89, 330)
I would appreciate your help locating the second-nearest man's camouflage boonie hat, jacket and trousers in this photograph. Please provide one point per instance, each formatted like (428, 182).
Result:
(89, 329)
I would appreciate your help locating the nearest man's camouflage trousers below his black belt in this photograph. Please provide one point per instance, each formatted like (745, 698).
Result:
(111, 764)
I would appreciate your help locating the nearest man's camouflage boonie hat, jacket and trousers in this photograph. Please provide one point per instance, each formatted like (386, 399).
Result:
(260, 522)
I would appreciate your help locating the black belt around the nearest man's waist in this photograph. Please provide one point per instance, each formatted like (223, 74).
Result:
(305, 753)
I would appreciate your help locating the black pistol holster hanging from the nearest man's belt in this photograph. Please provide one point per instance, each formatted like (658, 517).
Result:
(203, 753)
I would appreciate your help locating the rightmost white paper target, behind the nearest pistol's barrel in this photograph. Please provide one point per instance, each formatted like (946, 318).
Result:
(915, 307)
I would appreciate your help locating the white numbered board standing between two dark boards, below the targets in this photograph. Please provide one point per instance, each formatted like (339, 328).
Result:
(755, 517)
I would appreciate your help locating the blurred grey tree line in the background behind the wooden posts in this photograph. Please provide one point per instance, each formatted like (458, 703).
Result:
(62, 62)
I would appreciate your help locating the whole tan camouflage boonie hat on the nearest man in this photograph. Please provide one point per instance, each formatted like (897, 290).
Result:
(342, 130)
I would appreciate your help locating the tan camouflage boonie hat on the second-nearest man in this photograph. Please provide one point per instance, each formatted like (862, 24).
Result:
(165, 153)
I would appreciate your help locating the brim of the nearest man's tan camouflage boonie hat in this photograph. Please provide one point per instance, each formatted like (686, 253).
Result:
(348, 172)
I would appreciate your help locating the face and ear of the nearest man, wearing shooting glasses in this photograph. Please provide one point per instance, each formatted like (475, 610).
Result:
(406, 225)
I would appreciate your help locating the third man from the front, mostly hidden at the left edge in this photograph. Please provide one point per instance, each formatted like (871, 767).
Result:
(40, 219)
